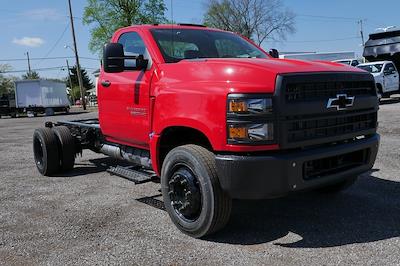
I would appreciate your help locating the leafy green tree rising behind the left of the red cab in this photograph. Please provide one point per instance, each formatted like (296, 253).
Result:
(108, 15)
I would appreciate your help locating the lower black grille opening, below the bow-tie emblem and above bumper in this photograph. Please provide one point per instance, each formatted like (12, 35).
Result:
(309, 129)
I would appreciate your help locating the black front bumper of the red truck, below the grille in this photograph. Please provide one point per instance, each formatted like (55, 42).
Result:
(275, 175)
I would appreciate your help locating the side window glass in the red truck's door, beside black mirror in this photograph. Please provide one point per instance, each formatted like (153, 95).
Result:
(133, 45)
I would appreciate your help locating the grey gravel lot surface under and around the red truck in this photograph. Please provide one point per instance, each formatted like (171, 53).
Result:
(90, 217)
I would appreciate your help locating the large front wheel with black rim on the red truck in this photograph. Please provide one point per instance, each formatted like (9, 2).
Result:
(209, 207)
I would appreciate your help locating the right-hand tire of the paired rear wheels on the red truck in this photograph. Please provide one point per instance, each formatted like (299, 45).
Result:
(66, 147)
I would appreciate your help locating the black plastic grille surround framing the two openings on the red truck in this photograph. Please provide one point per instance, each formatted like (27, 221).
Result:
(318, 108)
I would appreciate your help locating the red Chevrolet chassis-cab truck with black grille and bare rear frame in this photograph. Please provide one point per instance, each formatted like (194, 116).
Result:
(213, 117)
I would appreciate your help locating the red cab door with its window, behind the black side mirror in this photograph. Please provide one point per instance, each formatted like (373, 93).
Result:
(124, 98)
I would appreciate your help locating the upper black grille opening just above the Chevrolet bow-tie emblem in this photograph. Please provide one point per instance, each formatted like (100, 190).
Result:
(322, 90)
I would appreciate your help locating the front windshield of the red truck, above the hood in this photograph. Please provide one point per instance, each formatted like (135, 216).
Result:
(179, 44)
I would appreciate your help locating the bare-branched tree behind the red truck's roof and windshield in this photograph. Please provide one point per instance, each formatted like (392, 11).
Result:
(254, 19)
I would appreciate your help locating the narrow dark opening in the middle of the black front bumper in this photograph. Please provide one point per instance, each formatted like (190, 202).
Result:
(335, 164)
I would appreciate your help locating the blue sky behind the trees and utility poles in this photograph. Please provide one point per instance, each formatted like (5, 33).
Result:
(41, 27)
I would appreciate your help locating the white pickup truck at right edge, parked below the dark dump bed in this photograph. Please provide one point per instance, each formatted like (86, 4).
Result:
(386, 76)
